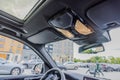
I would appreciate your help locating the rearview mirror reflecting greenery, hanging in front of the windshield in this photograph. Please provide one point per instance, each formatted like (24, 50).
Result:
(91, 48)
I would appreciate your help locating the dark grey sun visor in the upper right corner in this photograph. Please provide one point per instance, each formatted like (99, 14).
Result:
(105, 15)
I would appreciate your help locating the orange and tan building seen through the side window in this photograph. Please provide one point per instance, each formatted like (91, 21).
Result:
(10, 49)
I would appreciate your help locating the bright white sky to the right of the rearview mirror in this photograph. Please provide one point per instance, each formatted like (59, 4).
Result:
(112, 48)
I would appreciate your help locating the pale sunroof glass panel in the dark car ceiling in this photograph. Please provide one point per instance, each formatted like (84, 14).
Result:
(17, 8)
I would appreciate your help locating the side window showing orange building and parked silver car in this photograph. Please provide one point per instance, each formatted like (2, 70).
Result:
(16, 58)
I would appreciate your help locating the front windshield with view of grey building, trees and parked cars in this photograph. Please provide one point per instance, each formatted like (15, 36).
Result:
(104, 64)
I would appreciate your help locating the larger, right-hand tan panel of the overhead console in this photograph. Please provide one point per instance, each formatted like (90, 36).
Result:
(82, 29)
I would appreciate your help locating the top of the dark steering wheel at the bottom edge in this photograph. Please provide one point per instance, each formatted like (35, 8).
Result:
(53, 74)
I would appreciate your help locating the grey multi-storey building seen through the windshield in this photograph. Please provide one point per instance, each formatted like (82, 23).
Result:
(61, 51)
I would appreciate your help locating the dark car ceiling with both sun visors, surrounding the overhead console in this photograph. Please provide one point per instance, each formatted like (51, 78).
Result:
(36, 28)
